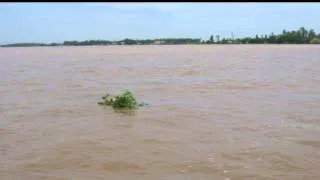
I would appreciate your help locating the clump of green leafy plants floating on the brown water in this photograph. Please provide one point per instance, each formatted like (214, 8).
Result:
(123, 101)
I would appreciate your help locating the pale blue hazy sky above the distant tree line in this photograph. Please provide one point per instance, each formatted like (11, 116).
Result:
(57, 22)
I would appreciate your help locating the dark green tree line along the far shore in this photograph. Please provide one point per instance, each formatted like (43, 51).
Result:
(299, 36)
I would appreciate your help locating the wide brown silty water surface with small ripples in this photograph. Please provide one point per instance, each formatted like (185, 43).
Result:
(216, 112)
